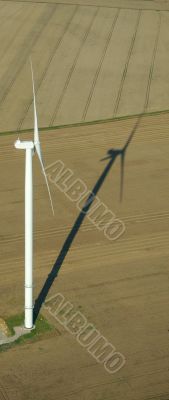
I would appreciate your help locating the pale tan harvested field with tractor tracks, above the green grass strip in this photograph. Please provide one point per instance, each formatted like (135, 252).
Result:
(92, 61)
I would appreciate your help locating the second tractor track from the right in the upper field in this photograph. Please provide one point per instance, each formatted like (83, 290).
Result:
(127, 64)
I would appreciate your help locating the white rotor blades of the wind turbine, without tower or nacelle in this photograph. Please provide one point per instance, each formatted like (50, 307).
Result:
(36, 138)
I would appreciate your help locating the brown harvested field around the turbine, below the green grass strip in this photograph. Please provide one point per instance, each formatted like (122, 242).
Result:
(121, 286)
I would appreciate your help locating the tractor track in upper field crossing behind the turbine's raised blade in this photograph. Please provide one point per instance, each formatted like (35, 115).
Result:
(59, 41)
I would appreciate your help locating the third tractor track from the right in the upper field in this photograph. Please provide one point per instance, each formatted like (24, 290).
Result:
(100, 66)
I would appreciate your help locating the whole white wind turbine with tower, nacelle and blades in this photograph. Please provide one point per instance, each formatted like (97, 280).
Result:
(30, 147)
